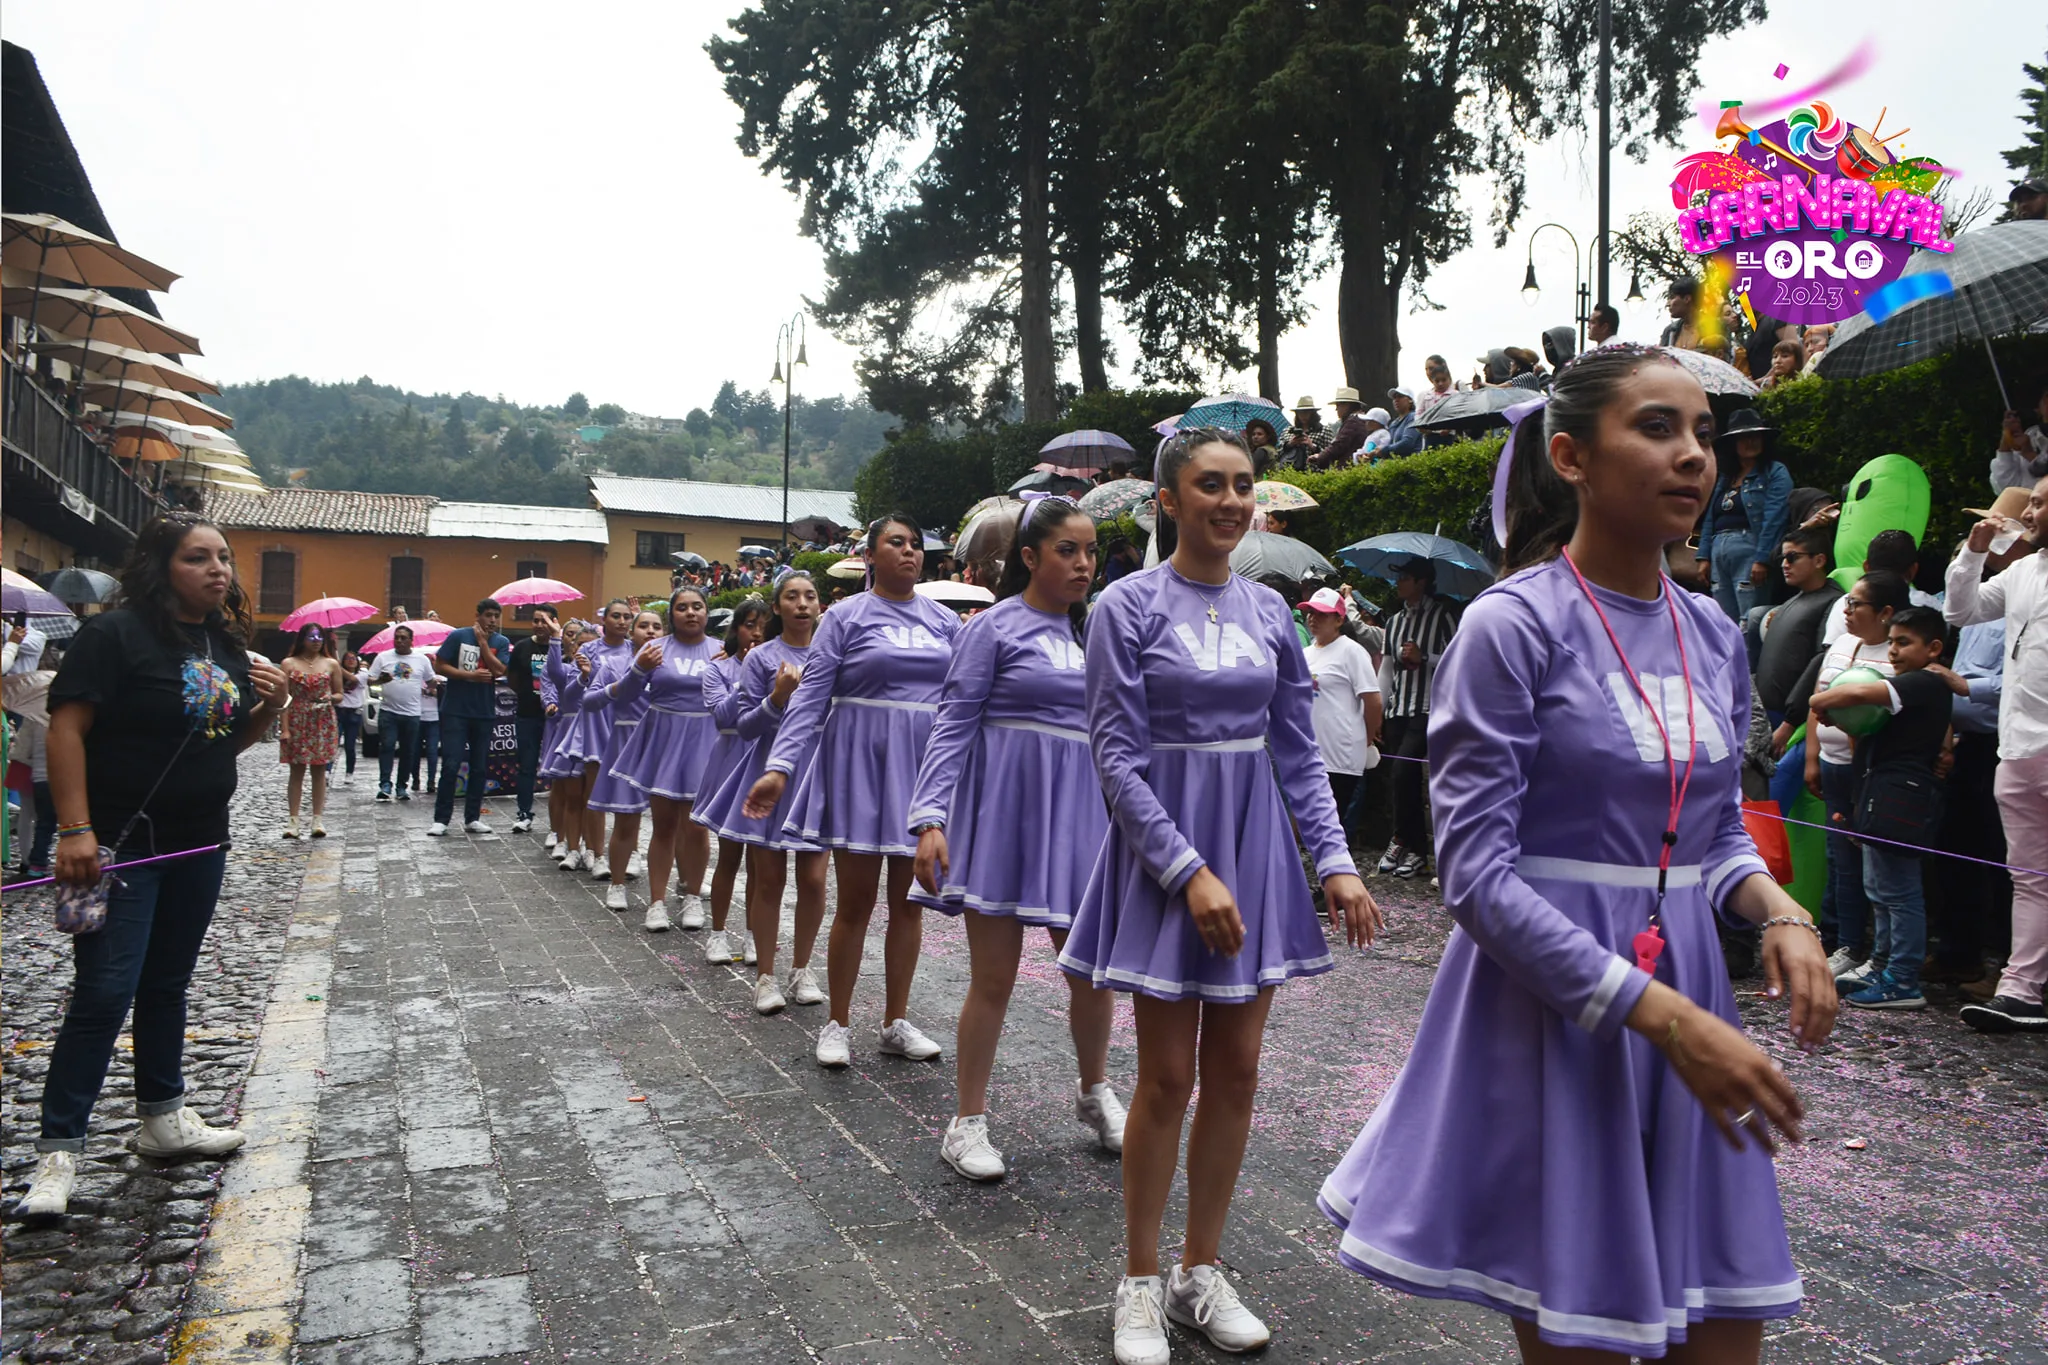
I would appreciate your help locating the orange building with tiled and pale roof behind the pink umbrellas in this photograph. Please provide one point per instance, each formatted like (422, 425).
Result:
(394, 549)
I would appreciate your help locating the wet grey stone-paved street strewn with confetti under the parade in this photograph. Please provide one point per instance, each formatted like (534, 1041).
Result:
(493, 1120)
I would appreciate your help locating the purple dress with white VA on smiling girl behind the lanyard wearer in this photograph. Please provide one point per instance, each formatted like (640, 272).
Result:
(1199, 709)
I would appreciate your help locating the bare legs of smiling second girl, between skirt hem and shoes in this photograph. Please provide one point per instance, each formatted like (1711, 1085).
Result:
(1179, 1043)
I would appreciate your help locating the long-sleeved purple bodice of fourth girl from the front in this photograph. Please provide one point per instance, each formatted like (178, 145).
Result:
(869, 650)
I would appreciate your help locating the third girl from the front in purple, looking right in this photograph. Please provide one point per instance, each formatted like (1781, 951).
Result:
(1009, 813)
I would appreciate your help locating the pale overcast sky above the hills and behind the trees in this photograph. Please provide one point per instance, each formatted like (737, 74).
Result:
(538, 200)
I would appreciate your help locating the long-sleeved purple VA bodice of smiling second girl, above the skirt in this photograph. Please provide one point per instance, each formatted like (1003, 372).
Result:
(1168, 672)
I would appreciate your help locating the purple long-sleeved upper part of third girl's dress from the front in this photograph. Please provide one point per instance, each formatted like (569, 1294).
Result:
(1013, 666)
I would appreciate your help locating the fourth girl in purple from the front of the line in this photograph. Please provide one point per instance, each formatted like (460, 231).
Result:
(849, 750)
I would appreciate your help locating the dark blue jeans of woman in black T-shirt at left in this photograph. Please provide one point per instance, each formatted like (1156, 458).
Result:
(157, 922)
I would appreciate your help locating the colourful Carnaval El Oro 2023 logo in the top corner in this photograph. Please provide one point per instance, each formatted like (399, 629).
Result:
(1807, 218)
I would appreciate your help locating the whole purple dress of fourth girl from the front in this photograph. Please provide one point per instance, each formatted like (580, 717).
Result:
(859, 721)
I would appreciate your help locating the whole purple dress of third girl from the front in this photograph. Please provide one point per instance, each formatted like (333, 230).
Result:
(1009, 770)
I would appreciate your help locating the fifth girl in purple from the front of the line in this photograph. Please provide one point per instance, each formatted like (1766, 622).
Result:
(767, 680)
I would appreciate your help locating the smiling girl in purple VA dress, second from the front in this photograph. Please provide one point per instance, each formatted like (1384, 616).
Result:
(1199, 711)
